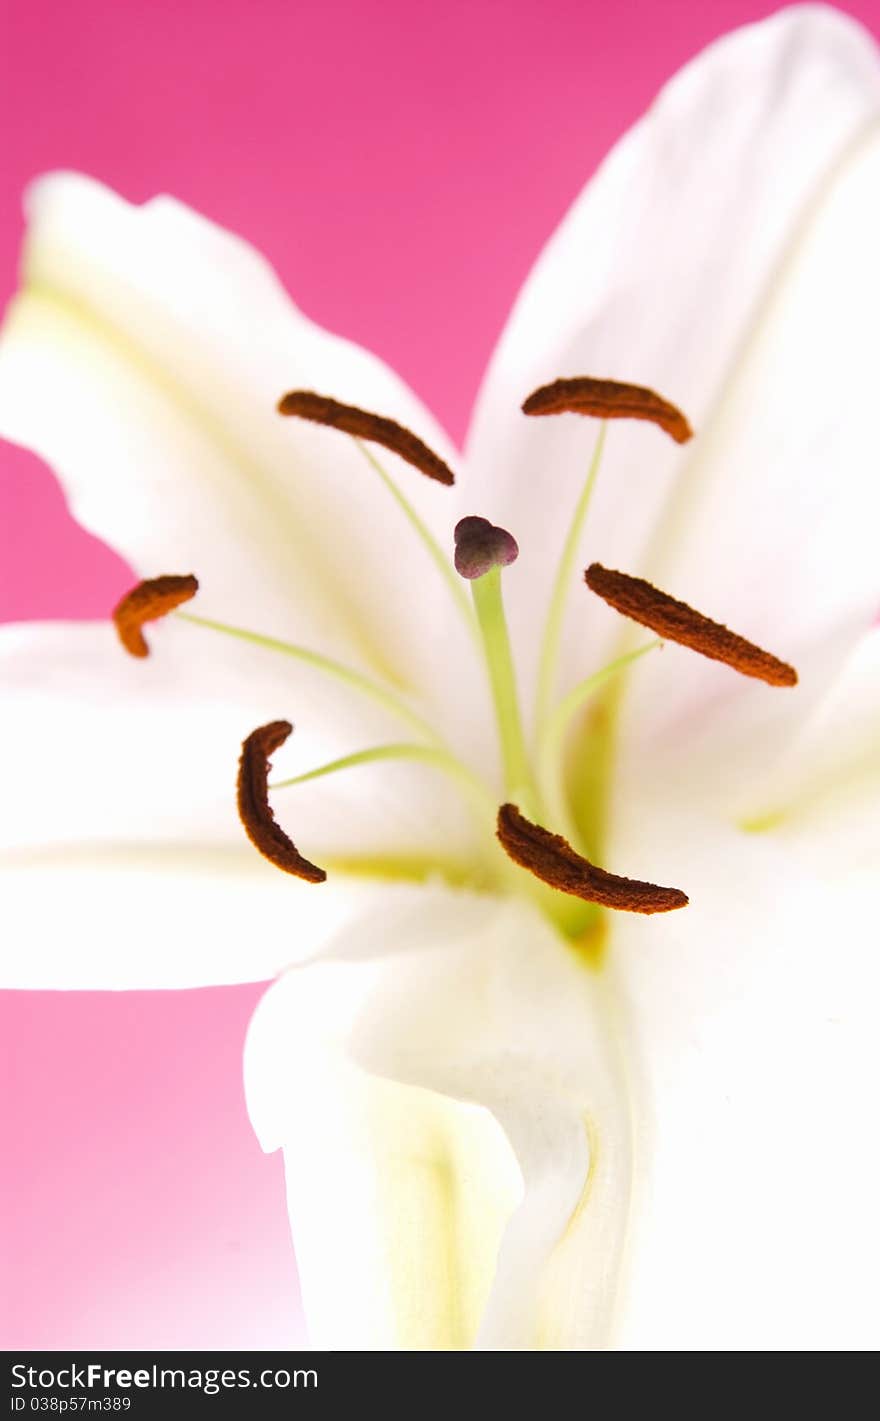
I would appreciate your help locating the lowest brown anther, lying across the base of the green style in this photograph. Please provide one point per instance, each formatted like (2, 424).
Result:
(552, 859)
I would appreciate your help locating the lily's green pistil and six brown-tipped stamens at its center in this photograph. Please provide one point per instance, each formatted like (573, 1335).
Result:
(524, 848)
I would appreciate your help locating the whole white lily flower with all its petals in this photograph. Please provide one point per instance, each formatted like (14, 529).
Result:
(511, 1119)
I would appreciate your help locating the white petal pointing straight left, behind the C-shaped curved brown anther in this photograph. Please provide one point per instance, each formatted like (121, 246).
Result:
(123, 862)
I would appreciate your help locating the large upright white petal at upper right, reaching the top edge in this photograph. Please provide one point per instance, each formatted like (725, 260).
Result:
(726, 256)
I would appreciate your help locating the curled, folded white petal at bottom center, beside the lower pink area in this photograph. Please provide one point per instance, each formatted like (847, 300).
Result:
(386, 1072)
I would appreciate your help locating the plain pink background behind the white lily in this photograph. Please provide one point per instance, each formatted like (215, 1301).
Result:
(402, 166)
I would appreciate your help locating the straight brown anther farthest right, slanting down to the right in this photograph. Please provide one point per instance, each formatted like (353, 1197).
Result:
(677, 622)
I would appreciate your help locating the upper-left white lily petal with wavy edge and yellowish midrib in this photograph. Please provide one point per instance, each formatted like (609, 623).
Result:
(144, 362)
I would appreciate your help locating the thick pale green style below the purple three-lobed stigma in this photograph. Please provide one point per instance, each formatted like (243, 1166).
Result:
(503, 679)
